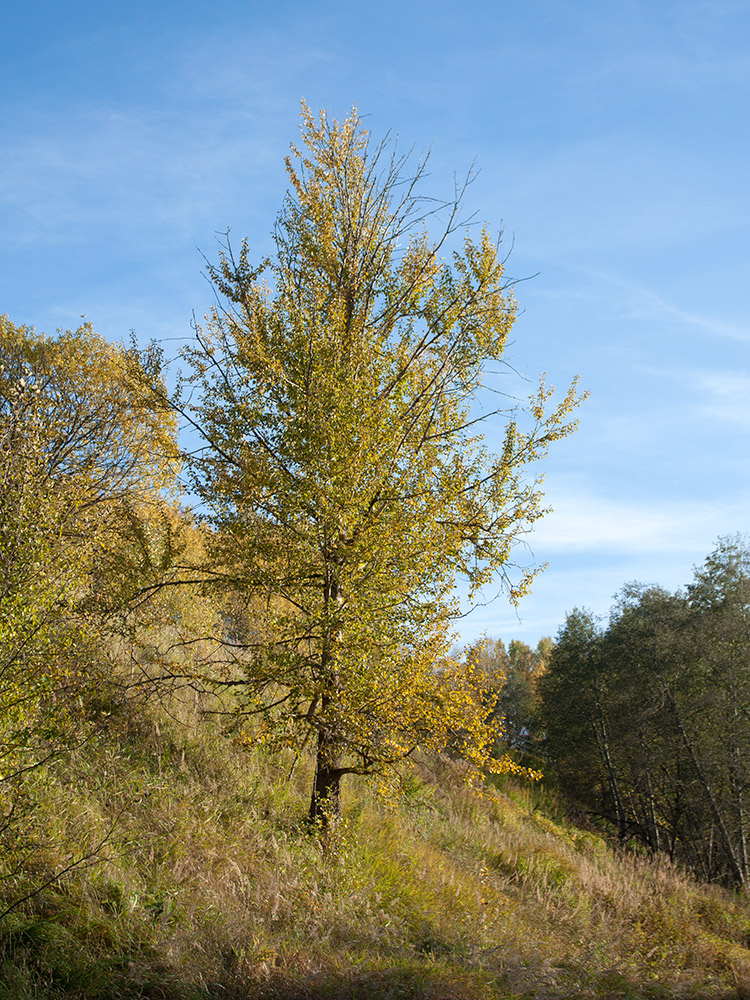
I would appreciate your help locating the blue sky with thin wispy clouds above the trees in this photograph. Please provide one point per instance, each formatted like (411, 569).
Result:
(612, 143)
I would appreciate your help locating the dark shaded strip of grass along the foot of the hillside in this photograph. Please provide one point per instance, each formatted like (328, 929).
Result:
(71, 977)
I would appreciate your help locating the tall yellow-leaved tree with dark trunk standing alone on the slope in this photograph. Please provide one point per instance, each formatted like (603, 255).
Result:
(342, 467)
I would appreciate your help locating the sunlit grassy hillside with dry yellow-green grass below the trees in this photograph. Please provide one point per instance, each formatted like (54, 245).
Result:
(206, 884)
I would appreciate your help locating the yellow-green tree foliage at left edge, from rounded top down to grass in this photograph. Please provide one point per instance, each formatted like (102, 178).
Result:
(79, 450)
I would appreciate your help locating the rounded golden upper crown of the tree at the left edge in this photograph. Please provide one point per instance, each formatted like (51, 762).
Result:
(78, 416)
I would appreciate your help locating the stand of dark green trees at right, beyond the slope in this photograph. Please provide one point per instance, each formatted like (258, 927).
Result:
(647, 720)
